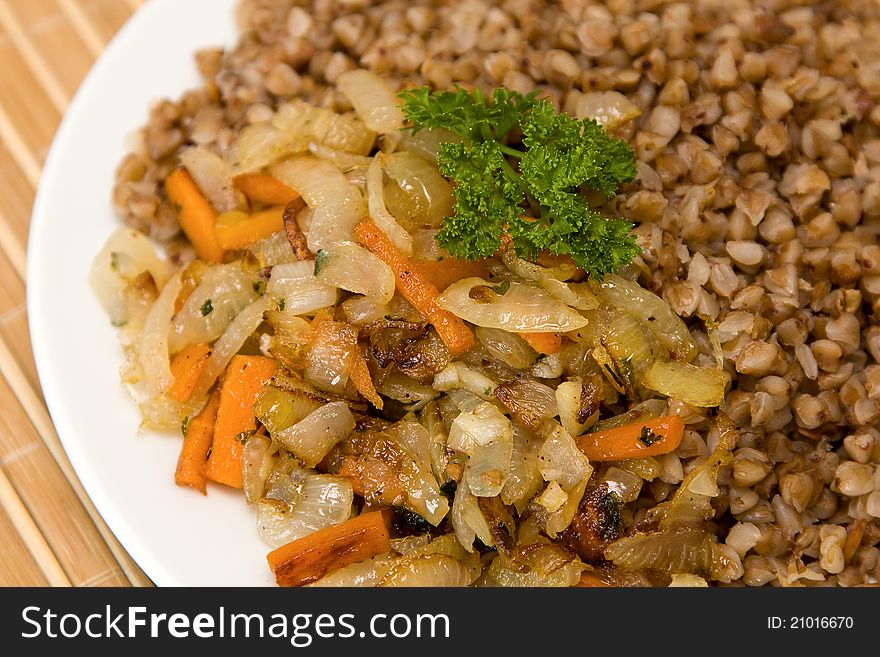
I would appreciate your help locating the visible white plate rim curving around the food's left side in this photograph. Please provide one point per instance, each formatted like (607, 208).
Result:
(176, 535)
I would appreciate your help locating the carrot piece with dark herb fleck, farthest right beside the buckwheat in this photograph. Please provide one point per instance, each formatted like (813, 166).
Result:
(650, 438)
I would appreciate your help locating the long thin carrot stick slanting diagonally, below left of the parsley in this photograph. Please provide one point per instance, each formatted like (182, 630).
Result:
(415, 288)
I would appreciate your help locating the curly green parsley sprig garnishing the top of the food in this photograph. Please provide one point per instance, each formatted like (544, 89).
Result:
(516, 157)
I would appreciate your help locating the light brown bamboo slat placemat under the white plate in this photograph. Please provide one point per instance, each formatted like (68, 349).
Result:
(50, 532)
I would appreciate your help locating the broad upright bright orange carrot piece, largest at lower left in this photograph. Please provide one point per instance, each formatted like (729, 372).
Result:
(245, 378)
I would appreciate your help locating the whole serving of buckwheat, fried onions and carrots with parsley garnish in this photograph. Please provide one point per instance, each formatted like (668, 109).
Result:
(520, 293)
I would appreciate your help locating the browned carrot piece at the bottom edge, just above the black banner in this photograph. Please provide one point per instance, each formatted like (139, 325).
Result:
(308, 559)
